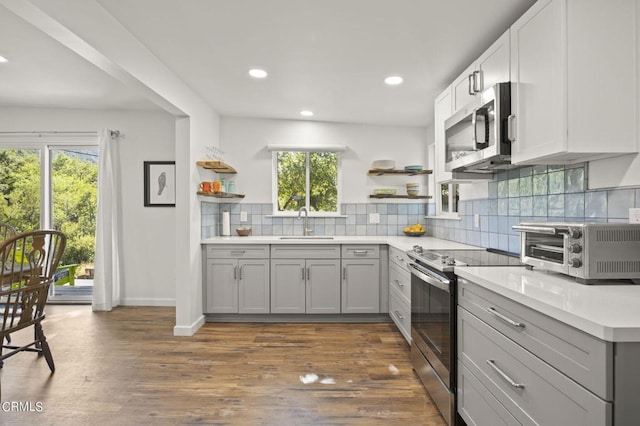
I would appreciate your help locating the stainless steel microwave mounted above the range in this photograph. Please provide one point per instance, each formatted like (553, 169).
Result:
(477, 136)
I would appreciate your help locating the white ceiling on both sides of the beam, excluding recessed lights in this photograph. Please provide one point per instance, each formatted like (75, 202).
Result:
(329, 56)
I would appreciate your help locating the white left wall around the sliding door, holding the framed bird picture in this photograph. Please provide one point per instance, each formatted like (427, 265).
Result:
(149, 232)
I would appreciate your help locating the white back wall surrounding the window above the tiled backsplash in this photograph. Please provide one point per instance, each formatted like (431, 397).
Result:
(244, 142)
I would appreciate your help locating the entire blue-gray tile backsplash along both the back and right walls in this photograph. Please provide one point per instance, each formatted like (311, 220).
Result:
(534, 193)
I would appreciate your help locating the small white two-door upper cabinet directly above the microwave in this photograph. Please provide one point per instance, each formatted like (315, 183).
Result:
(490, 68)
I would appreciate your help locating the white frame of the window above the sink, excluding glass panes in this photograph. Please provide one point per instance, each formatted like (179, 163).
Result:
(274, 182)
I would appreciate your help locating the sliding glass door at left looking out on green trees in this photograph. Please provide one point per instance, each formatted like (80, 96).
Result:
(55, 187)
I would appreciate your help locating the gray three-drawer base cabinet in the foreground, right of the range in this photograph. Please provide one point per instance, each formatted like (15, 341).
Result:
(514, 360)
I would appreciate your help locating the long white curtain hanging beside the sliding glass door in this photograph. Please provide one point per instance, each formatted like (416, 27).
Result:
(108, 273)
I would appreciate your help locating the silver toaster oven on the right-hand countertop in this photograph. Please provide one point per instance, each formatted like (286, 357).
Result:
(587, 251)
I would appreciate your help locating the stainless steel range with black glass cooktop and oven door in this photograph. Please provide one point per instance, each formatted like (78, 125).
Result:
(433, 318)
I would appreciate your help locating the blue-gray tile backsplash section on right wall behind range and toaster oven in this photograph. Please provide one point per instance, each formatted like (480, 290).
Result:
(535, 194)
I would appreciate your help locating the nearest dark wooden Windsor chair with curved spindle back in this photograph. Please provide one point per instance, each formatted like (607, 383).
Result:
(27, 264)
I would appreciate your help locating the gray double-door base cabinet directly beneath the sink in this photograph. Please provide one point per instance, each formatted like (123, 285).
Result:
(305, 286)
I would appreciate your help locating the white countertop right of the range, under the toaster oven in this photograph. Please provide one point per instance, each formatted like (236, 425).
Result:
(610, 312)
